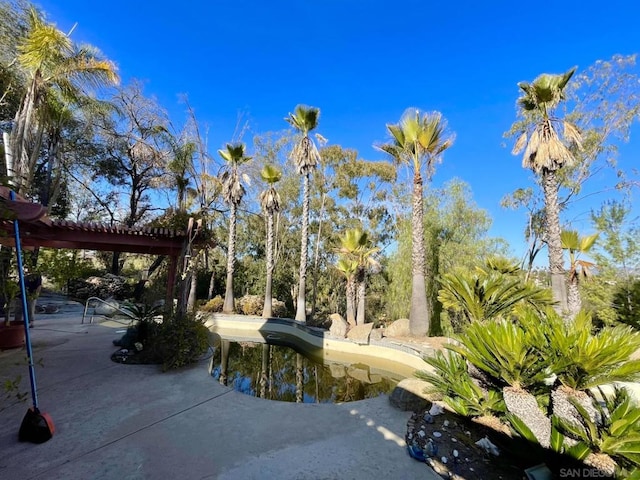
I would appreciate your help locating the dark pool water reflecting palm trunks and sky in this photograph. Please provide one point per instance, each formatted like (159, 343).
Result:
(277, 372)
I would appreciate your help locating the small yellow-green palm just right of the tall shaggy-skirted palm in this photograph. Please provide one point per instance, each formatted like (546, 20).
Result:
(578, 269)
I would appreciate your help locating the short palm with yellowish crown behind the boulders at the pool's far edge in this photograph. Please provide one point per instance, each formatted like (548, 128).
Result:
(355, 247)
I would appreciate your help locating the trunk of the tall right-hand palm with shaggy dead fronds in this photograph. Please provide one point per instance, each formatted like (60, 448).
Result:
(554, 244)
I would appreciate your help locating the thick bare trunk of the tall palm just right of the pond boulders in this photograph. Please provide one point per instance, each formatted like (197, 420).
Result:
(419, 313)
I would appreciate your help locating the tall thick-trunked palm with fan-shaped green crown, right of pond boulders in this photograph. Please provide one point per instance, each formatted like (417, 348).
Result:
(418, 140)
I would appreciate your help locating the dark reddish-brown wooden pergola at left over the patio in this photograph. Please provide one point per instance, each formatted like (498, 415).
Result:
(38, 230)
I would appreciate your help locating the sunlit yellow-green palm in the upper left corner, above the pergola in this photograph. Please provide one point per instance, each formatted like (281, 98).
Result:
(53, 65)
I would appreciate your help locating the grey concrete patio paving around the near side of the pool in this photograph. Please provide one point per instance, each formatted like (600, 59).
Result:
(116, 421)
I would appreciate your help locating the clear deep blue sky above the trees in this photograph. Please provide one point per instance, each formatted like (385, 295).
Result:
(362, 62)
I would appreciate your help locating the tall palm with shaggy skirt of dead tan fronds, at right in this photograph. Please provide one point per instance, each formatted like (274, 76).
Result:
(546, 152)
